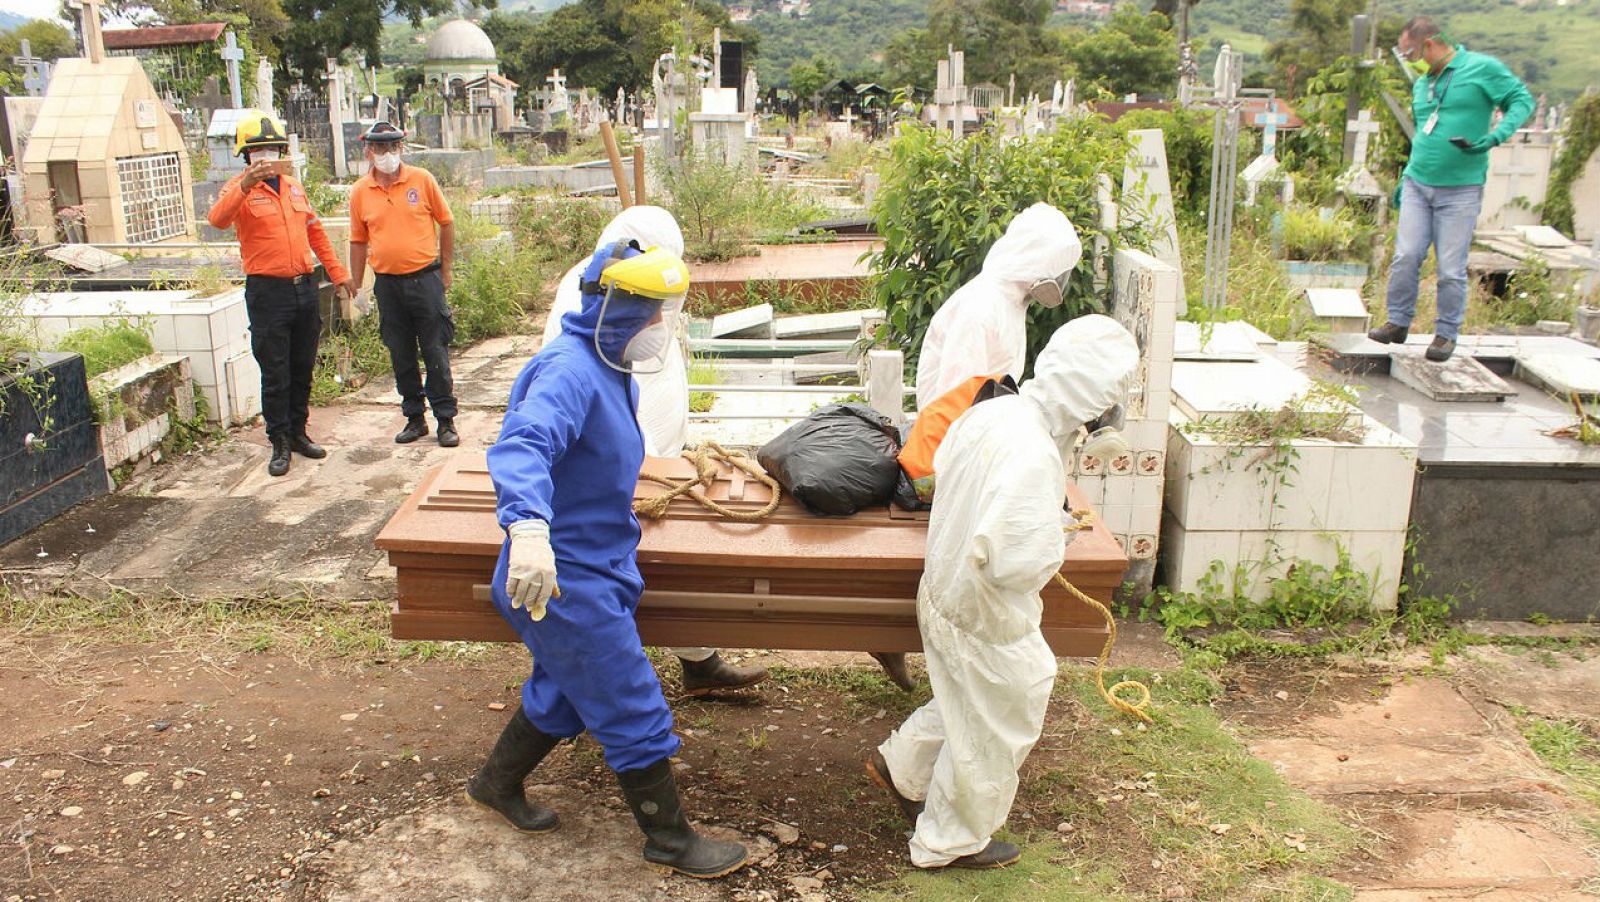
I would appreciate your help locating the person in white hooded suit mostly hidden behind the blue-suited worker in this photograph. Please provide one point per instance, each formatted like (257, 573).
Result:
(663, 410)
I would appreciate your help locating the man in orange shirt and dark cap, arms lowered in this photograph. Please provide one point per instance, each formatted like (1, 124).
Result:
(394, 210)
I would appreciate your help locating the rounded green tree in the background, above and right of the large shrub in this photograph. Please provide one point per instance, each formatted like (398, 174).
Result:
(1135, 54)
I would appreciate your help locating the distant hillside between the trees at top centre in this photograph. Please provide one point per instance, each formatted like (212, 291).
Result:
(854, 33)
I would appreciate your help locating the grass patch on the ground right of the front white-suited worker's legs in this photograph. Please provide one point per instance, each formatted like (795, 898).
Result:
(1175, 812)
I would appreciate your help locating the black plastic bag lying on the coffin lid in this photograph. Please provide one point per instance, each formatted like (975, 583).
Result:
(836, 461)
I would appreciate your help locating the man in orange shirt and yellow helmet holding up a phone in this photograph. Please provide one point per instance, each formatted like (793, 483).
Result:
(278, 236)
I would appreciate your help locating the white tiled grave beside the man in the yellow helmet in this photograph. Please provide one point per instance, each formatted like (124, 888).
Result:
(214, 333)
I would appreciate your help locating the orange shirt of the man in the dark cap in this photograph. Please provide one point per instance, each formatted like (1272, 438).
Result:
(396, 223)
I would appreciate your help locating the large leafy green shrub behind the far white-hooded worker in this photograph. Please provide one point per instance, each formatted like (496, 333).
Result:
(945, 204)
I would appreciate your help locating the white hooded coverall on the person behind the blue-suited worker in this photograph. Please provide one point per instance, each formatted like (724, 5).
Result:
(663, 397)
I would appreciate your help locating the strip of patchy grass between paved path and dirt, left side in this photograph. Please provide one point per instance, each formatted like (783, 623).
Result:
(302, 626)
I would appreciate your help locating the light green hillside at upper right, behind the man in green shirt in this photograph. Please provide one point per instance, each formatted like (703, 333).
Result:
(1550, 44)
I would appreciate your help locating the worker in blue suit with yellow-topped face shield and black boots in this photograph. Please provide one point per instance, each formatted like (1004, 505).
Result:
(567, 580)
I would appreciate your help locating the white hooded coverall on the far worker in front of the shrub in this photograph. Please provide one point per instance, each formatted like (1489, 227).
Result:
(982, 330)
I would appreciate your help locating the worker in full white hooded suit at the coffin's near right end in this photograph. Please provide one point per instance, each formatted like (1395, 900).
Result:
(994, 541)
